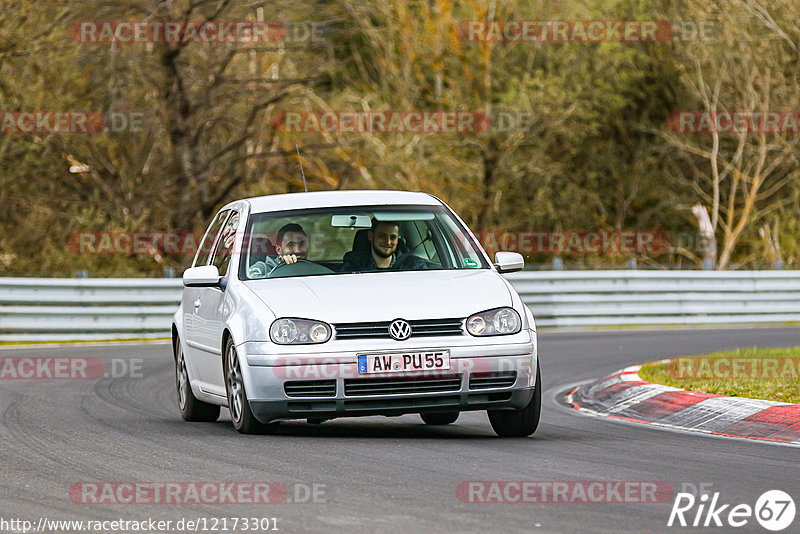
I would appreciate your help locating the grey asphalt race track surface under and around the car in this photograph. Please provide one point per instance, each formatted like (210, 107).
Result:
(374, 474)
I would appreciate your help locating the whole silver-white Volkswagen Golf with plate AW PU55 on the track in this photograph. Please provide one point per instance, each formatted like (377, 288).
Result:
(352, 303)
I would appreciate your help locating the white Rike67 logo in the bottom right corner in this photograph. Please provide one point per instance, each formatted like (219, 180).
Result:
(774, 510)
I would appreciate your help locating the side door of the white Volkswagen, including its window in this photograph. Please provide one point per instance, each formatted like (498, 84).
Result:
(211, 311)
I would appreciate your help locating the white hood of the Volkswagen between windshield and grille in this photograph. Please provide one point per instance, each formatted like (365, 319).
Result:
(345, 298)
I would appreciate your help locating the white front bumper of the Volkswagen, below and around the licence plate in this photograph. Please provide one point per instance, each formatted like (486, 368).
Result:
(342, 388)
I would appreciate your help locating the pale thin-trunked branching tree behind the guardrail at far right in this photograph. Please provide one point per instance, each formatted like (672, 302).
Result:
(739, 177)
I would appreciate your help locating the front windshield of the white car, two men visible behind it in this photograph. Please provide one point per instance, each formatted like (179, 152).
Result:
(346, 240)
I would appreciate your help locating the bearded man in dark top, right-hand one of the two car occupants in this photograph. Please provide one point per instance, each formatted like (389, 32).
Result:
(383, 237)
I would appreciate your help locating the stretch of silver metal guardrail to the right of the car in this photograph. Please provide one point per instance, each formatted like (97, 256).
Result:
(616, 298)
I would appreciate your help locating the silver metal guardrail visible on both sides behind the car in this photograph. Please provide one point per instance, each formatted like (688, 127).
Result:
(108, 308)
